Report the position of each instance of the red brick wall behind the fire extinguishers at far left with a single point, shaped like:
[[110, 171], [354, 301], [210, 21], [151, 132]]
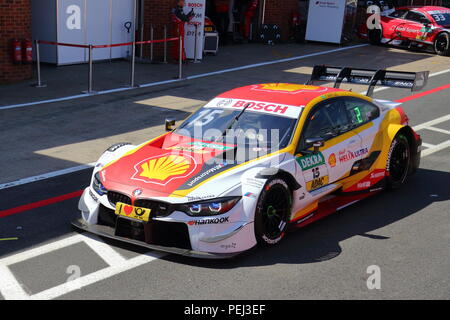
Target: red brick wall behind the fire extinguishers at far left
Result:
[[15, 22]]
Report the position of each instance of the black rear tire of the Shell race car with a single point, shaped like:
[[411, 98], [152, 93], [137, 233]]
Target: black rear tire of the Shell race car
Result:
[[399, 162]]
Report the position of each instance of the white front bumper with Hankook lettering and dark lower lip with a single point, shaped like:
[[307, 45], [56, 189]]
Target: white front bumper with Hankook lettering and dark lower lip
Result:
[[178, 233]]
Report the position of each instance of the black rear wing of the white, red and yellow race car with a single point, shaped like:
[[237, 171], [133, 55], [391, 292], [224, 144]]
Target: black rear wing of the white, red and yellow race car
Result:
[[370, 77]]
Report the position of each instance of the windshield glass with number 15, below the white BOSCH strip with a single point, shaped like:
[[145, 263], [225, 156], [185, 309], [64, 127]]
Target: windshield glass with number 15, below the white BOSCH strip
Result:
[[243, 128]]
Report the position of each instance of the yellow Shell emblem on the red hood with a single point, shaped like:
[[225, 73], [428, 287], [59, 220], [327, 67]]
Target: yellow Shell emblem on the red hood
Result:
[[164, 167]]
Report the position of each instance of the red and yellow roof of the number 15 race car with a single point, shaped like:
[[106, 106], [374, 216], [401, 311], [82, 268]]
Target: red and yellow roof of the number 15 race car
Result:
[[280, 93]]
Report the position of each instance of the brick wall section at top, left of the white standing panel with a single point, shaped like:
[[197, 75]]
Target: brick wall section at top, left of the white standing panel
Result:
[[280, 14]]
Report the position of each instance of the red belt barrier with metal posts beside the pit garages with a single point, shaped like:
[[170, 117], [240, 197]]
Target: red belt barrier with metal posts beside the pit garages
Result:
[[92, 47]]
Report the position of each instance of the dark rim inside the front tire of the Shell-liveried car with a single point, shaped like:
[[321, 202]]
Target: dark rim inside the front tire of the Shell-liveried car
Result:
[[274, 212]]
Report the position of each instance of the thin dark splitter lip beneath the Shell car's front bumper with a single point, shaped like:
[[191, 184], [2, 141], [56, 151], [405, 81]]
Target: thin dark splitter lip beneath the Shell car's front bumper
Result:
[[109, 232]]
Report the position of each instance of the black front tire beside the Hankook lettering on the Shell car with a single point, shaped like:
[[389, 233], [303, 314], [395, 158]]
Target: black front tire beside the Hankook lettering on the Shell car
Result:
[[272, 212]]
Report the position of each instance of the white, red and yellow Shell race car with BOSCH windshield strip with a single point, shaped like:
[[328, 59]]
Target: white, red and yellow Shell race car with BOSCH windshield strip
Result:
[[253, 163]]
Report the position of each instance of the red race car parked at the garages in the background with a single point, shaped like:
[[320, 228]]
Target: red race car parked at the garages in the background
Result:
[[424, 27]]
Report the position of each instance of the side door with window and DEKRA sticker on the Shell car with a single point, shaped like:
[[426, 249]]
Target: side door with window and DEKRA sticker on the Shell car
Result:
[[330, 121]]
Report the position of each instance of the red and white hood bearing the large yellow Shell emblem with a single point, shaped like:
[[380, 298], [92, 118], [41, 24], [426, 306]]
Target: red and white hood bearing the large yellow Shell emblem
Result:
[[165, 165]]
